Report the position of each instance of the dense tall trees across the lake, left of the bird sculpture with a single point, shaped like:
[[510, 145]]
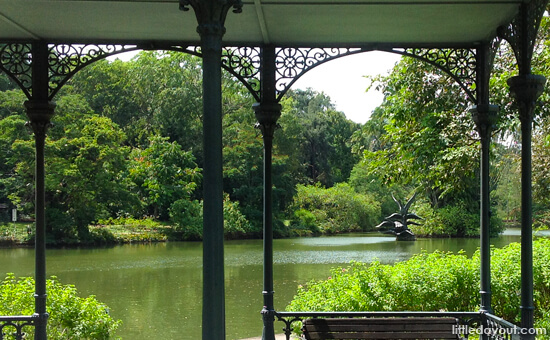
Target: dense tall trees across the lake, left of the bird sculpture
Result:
[[126, 142]]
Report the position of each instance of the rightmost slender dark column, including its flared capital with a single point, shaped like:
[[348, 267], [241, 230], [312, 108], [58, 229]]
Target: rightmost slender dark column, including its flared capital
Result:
[[526, 89]]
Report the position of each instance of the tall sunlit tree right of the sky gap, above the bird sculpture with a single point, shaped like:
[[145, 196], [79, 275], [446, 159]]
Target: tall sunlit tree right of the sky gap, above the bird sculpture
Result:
[[429, 138]]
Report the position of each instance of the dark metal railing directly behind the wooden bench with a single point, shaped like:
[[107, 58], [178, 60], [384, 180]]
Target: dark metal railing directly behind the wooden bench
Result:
[[466, 320]]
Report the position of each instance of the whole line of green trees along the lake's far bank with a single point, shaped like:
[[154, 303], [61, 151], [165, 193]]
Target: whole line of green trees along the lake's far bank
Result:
[[126, 143]]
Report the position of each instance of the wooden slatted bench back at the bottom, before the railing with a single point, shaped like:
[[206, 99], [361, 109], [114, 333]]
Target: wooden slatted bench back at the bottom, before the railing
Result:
[[381, 328]]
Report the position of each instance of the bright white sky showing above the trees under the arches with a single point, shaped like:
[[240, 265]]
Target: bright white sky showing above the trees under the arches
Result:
[[343, 81]]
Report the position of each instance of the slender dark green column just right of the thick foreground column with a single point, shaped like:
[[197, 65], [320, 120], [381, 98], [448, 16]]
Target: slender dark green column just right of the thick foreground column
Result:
[[267, 114]]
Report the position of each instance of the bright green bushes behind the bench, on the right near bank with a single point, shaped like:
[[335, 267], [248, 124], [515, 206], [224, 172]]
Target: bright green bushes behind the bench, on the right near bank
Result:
[[431, 282]]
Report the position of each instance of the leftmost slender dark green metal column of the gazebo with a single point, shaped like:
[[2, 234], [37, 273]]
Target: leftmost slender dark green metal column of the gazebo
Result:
[[40, 110]]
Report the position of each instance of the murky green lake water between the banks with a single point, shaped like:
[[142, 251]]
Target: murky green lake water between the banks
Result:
[[156, 289]]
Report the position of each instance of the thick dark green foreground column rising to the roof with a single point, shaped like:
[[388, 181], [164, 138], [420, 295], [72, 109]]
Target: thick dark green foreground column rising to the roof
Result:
[[211, 16]]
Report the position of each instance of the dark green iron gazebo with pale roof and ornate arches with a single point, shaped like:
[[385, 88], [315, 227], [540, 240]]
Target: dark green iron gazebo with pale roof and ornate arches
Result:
[[268, 45]]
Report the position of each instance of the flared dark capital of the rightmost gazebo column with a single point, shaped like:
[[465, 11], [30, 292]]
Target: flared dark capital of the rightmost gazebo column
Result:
[[526, 89]]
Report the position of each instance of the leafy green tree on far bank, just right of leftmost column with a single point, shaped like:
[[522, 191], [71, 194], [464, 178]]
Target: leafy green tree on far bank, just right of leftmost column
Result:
[[86, 161]]
